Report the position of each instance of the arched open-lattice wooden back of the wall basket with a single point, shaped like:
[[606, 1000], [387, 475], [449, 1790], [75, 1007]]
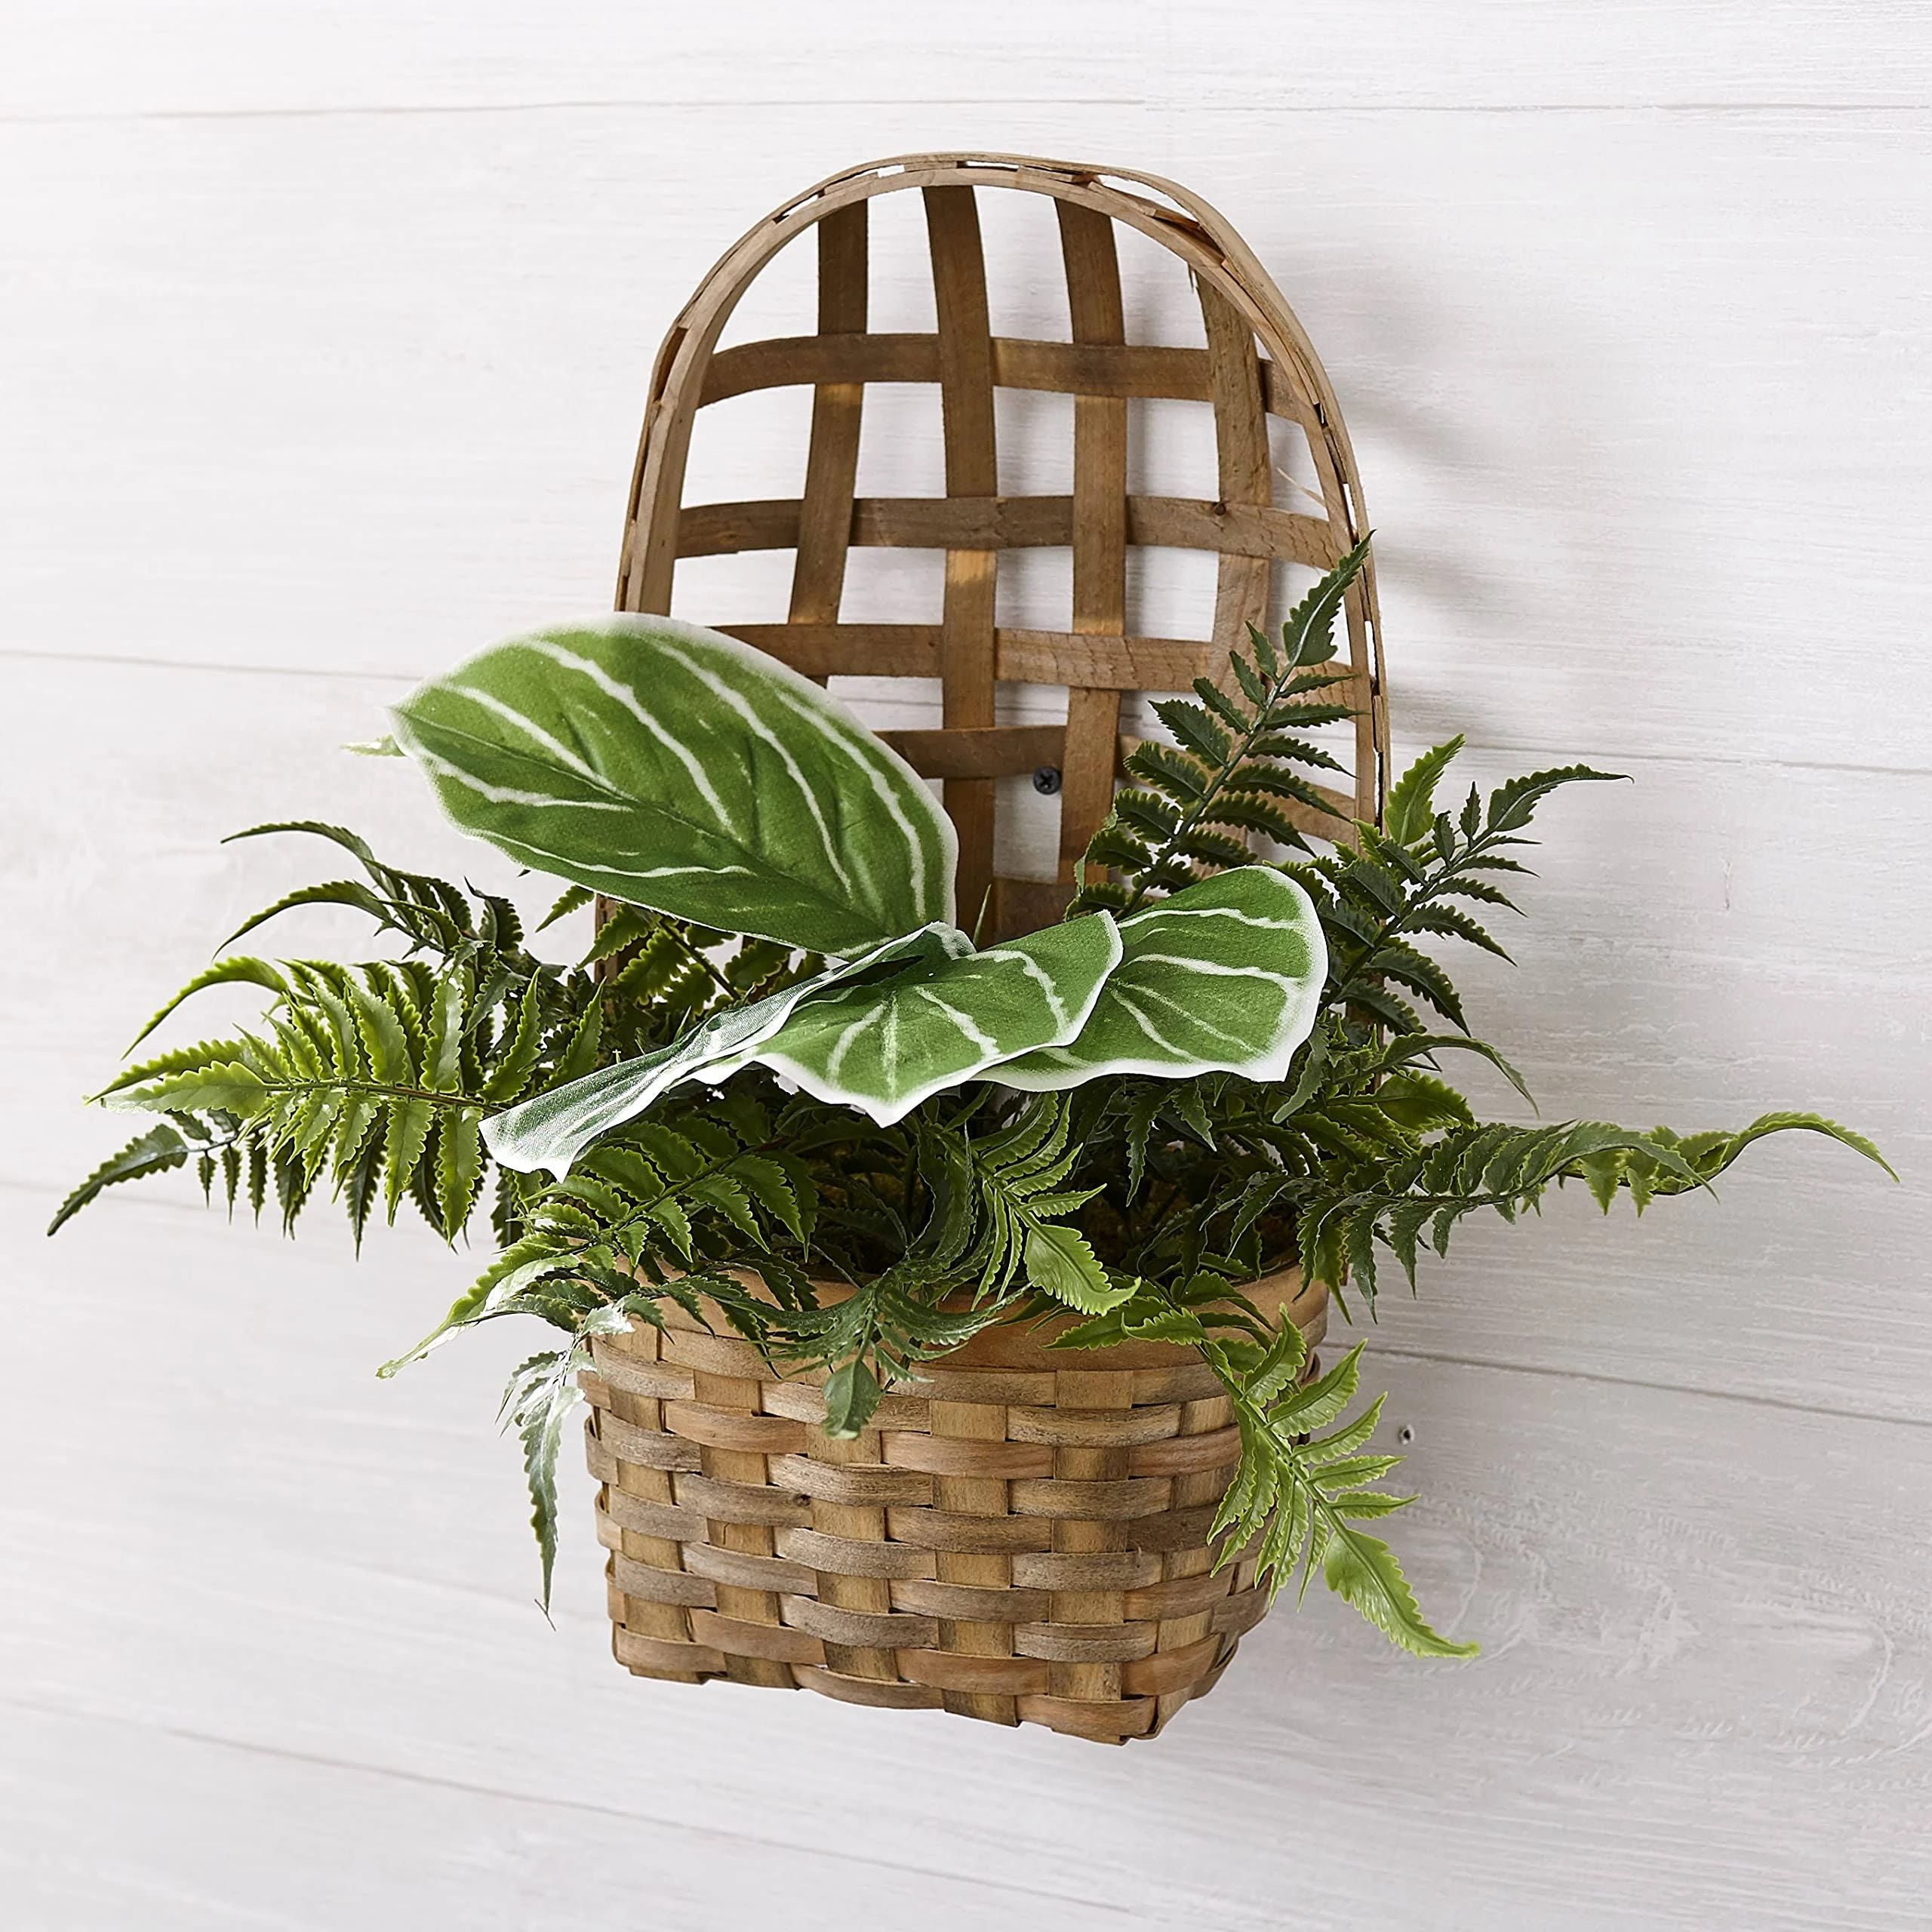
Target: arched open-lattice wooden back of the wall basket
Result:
[[1257, 364]]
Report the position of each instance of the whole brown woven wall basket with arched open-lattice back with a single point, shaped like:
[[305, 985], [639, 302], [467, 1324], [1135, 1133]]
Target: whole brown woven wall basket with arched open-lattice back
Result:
[[1023, 1539]]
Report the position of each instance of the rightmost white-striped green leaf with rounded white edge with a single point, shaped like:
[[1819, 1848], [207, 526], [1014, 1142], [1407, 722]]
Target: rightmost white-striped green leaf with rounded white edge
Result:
[[1222, 977]]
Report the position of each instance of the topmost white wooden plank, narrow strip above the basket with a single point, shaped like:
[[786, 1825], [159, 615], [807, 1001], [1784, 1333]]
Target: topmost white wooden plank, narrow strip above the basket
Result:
[[225, 57]]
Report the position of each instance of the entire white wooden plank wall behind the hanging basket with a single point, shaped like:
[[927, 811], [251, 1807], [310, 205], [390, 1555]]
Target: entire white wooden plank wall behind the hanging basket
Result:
[[324, 341]]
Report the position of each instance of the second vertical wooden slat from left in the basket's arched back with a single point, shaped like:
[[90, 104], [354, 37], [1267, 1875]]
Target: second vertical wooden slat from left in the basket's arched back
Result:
[[973, 470]]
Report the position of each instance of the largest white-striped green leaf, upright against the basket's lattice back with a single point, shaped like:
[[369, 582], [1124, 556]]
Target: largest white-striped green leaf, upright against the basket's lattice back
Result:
[[679, 770]]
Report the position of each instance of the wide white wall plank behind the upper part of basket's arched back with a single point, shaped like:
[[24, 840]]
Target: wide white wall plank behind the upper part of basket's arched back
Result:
[[1643, 457]]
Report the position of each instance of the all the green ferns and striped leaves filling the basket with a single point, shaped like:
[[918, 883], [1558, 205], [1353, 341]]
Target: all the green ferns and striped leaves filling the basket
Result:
[[783, 1054]]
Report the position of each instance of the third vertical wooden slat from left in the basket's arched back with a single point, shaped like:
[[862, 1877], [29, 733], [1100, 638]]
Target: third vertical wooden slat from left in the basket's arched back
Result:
[[1098, 532]]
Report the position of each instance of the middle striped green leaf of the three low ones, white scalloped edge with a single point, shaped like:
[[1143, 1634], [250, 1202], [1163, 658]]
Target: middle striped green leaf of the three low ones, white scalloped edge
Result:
[[888, 1046]]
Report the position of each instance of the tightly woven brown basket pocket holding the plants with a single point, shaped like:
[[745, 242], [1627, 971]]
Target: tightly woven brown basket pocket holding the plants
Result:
[[1013, 1539]]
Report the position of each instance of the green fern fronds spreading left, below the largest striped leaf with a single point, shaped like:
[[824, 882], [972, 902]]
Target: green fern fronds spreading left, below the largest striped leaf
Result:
[[378, 1079]]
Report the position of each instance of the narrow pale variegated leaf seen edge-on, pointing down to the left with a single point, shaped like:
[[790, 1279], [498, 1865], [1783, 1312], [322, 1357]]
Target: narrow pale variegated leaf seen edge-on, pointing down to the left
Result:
[[554, 1129]]
